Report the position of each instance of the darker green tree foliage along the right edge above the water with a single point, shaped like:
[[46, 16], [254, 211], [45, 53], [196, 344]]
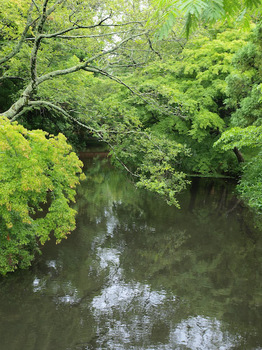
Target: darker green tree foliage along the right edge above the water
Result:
[[244, 99]]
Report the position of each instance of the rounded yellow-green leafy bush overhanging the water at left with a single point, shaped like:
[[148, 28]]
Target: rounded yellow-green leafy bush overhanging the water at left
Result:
[[38, 176]]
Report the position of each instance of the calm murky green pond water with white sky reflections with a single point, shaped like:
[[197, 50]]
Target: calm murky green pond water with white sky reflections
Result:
[[139, 274]]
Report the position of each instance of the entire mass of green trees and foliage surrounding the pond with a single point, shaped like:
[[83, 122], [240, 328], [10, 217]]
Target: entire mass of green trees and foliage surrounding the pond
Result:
[[172, 88]]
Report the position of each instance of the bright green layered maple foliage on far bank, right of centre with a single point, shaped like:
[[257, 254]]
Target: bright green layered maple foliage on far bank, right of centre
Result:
[[186, 95]]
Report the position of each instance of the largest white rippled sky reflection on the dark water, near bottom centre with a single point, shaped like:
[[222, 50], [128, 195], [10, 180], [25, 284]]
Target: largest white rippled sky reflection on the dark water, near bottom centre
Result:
[[128, 308]]
